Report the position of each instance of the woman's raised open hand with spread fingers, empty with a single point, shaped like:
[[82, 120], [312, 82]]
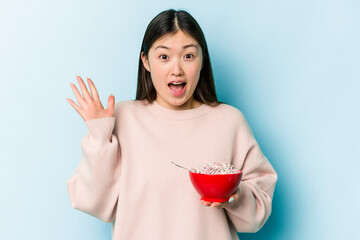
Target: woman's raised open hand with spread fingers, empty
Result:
[[90, 106]]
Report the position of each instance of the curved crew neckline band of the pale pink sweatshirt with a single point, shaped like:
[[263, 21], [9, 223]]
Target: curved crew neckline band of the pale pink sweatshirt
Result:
[[172, 114]]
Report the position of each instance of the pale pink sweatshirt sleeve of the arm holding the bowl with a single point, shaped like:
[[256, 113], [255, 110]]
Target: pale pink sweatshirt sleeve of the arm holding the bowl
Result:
[[253, 207]]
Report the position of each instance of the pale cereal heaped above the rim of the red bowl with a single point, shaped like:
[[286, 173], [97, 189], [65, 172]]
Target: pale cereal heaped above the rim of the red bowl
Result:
[[215, 168]]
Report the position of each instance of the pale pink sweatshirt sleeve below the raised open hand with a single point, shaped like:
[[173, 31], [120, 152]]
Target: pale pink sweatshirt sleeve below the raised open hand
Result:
[[94, 186]]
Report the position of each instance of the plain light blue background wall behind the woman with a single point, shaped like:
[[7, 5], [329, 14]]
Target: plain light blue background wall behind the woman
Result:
[[292, 68]]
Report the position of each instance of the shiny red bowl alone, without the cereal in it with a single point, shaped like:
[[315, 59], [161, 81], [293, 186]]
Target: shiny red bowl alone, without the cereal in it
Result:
[[215, 188]]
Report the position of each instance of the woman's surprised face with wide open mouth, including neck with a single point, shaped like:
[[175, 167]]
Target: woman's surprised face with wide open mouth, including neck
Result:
[[174, 63]]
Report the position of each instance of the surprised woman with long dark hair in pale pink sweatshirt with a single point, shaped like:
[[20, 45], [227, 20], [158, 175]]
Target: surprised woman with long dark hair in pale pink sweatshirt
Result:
[[125, 175]]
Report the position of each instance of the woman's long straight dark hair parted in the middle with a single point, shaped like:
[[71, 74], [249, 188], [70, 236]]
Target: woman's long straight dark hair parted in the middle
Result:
[[170, 22]]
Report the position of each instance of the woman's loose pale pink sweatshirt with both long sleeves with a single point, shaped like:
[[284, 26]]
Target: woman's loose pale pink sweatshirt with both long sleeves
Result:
[[125, 175]]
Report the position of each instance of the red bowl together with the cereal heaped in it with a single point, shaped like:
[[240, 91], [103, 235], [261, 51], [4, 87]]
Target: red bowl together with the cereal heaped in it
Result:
[[215, 182]]
